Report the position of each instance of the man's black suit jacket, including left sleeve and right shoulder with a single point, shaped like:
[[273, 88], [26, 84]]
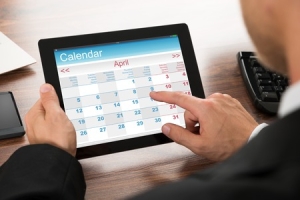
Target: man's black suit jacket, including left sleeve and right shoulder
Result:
[[266, 168]]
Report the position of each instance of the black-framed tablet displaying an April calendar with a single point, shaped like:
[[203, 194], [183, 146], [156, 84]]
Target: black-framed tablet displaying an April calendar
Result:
[[103, 81]]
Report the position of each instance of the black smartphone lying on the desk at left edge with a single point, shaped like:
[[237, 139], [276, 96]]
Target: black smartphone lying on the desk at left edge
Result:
[[10, 121]]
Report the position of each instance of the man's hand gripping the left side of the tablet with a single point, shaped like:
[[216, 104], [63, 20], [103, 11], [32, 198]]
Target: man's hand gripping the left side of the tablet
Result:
[[46, 122]]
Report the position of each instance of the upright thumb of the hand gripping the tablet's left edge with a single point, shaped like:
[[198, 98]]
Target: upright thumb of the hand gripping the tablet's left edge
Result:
[[49, 98]]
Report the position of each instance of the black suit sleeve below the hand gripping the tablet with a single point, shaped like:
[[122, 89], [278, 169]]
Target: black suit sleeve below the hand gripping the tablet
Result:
[[41, 172]]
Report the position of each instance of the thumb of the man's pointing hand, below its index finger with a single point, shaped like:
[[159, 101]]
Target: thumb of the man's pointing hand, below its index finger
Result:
[[181, 136]]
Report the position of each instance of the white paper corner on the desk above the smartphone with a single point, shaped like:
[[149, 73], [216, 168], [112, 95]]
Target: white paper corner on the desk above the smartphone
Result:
[[12, 56]]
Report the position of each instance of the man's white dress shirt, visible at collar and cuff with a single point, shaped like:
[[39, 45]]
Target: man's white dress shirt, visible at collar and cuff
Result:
[[290, 102]]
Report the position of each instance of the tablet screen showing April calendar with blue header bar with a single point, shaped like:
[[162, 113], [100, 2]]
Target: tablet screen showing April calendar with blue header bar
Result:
[[105, 87]]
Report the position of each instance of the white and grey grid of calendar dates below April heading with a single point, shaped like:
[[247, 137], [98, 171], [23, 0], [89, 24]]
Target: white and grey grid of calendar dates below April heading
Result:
[[116, 103]]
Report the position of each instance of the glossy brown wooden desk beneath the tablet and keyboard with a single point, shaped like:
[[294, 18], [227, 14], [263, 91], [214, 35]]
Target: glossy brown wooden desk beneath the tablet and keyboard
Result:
[[218, 34]]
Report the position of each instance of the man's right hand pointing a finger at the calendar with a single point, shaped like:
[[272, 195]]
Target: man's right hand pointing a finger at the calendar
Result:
[[225, 125]]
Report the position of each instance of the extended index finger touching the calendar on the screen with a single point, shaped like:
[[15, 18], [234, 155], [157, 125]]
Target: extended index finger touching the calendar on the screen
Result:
[[183, 100]]
